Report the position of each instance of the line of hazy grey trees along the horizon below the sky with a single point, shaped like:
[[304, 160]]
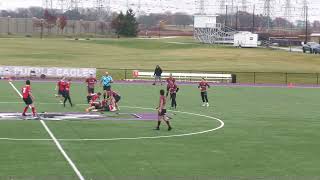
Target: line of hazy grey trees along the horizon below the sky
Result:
[[239, 21]]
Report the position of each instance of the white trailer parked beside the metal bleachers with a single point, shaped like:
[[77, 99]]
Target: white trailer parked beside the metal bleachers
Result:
[[245, 39]]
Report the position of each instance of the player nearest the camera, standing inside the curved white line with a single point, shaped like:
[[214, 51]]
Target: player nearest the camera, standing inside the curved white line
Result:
[[162, 111]]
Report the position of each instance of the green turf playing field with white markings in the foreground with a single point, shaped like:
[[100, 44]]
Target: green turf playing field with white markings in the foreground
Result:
[[269, 133]]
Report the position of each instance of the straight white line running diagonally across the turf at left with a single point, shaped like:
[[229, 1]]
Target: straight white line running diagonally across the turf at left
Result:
[[74, 167]]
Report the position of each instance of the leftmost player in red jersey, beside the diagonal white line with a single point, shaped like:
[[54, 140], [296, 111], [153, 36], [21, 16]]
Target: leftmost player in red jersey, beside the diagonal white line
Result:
[[28, 99]]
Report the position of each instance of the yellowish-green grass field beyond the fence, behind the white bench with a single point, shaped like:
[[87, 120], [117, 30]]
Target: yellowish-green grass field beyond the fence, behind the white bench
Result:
[[145, 54]]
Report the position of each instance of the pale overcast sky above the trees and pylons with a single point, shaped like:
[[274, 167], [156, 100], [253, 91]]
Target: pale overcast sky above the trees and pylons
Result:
[[188, 6]]
